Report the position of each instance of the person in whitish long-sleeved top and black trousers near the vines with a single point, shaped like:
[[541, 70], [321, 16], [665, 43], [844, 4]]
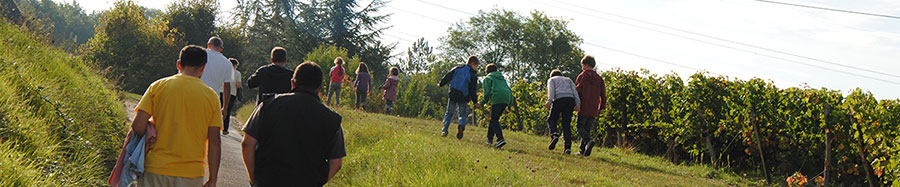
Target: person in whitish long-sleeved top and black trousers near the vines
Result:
[[562, 99]]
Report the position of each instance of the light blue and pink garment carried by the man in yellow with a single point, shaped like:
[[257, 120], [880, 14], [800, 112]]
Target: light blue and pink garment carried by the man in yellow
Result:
[[134, 159]]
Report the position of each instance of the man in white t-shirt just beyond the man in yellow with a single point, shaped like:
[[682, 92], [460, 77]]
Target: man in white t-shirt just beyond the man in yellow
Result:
[[218, 74]]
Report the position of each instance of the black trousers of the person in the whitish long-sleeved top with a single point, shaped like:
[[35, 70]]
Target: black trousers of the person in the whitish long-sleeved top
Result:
[[562, 108]]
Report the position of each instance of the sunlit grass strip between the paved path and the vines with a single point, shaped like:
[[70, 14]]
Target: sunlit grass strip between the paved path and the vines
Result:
[[392, 151]]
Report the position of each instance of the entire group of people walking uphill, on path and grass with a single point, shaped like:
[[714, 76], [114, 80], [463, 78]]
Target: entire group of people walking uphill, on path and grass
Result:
[[292, 138]]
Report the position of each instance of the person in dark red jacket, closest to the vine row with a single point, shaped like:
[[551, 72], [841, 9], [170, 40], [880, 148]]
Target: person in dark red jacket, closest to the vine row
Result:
[[592, 90]]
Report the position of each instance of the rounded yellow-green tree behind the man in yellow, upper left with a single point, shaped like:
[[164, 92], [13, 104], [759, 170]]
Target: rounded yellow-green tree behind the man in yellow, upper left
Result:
[[130, 49]]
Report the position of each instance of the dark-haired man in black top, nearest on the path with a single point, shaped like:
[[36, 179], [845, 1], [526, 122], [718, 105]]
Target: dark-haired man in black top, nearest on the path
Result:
[[293, 139]]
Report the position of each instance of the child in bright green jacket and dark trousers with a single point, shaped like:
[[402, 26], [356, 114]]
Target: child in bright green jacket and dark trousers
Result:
[[497, 91]]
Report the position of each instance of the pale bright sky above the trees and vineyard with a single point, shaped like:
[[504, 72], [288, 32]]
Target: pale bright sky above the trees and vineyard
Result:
[[791, 46]]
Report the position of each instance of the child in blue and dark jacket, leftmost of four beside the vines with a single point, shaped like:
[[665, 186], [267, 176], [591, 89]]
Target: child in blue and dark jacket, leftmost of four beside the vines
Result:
[[463, 80]]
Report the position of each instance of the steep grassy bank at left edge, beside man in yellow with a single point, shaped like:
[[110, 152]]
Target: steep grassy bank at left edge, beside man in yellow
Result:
[[59, 123]]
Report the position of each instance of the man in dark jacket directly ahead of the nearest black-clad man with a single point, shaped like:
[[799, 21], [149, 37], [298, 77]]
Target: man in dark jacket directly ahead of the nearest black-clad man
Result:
[[272, 79]]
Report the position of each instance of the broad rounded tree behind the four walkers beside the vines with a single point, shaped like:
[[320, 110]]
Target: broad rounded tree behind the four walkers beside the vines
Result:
[[517, 43]]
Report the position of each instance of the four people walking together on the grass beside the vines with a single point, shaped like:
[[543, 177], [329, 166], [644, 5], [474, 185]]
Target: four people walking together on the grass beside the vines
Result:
[[586, 95]]
